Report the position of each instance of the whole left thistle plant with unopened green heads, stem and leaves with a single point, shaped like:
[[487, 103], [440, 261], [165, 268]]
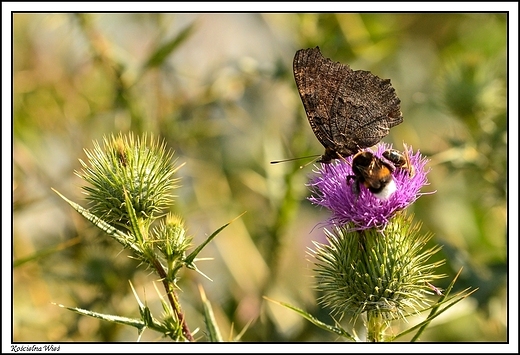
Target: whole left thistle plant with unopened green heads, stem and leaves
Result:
[[130, 185]]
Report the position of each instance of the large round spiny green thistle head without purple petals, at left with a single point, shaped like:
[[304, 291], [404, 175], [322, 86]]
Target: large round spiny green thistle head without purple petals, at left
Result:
[[140, 169]]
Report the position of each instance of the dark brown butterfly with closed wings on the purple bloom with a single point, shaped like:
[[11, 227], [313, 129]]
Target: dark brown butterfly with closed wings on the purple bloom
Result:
[[348, 110]]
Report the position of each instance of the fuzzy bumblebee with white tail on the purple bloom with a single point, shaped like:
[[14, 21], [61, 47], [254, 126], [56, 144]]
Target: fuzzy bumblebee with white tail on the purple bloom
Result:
[[374, 173]]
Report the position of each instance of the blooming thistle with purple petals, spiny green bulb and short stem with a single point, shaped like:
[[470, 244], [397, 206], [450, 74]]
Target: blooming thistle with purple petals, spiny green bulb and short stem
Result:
[[373, 264]]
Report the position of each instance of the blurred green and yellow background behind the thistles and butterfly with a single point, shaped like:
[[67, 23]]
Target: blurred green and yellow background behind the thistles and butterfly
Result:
[[219, 89]]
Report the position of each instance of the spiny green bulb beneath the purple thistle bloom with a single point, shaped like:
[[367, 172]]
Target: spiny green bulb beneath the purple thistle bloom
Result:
[[359, 271]]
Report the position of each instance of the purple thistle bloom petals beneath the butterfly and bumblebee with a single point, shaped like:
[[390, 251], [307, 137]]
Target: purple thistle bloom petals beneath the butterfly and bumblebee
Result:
[[333, 189]]
